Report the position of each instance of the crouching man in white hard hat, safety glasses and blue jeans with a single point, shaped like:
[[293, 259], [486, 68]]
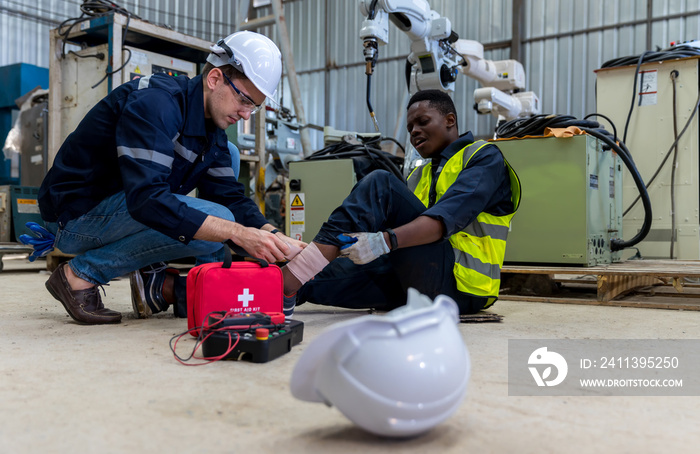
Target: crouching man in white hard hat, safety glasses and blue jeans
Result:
[[116, 193]]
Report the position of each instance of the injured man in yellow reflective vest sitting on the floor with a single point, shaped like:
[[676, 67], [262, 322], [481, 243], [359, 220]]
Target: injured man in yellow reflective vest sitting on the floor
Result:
[[443, 234]]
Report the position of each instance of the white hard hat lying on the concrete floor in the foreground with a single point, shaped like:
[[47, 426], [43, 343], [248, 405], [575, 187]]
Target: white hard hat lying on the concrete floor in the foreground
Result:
[[394, 375]]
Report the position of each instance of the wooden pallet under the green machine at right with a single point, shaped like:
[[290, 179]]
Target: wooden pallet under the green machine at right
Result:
[[662, 284]]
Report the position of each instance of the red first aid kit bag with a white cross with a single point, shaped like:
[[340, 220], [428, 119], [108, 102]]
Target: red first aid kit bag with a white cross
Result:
[[235, 287]]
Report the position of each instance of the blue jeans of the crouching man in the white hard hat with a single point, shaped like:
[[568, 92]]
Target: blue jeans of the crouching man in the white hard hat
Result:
[[109, 243]]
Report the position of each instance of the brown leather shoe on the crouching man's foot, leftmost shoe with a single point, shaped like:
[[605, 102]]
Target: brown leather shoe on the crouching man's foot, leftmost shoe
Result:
[[85, 306]]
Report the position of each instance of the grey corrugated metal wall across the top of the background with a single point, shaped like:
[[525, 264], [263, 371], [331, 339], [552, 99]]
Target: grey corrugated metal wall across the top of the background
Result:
[[564, 41]]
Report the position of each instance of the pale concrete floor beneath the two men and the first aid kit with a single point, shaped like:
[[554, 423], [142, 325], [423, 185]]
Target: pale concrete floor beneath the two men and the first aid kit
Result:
[[113, 389]]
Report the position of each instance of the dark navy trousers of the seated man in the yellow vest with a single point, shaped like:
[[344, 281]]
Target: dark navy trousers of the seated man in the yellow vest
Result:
[[380, 201]]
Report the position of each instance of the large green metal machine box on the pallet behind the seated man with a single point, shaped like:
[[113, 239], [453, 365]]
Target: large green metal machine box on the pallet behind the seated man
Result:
[[571, 201]]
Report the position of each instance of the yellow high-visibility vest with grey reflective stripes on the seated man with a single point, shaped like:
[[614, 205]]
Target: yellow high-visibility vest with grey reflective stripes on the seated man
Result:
[[480, 247]]
